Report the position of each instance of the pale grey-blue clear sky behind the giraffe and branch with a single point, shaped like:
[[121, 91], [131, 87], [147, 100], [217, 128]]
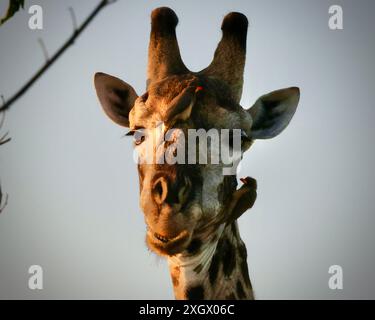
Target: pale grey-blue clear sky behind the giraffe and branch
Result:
[[73, 186]]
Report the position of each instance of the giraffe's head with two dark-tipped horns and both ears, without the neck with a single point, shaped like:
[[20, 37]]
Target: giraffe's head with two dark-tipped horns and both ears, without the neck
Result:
[[185, 200]]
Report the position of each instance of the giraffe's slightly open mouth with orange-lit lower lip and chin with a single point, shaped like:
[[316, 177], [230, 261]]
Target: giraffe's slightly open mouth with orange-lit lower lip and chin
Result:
[[165, 245]]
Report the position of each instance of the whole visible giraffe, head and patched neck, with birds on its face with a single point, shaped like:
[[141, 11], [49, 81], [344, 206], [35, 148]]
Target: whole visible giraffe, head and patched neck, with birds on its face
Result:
[[191, 210]]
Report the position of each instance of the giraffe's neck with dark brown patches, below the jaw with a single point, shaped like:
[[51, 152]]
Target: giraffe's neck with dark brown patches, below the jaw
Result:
[[215, 268]]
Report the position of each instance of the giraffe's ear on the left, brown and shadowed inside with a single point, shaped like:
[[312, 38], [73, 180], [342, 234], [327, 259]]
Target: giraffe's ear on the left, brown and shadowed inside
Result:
[[116, 97]]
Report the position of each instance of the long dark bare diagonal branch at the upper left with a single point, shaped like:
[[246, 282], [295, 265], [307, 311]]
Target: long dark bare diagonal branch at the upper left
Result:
[[59, 52]]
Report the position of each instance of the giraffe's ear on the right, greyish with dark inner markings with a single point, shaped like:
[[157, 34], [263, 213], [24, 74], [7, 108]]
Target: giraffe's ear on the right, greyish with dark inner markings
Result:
[[272, 112]]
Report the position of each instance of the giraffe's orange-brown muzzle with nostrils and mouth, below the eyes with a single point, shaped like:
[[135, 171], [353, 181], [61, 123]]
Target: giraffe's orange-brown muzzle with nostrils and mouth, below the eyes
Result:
[[168, 200]]
